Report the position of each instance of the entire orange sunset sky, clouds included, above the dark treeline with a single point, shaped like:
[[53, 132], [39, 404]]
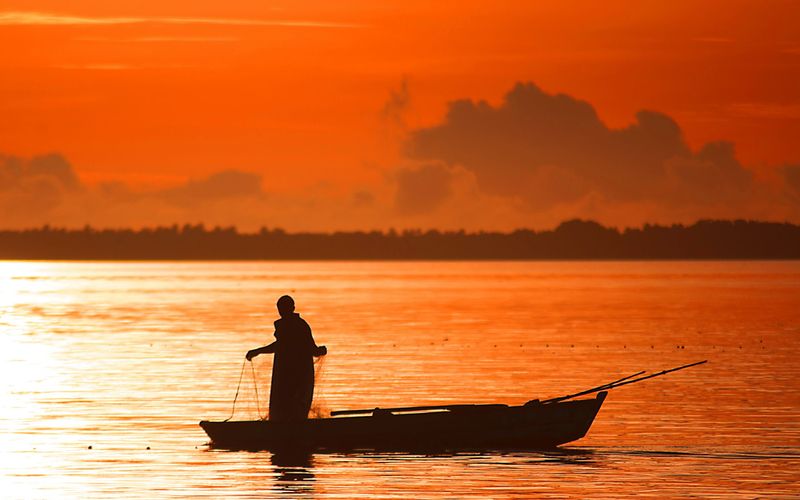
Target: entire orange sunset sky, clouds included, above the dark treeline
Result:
[[319, 115]]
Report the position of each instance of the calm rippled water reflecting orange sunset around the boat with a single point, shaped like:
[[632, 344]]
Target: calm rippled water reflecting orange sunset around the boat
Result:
[[126, 356]]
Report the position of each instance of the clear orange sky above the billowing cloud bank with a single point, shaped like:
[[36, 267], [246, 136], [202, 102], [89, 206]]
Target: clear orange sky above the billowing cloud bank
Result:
[[154, 93]]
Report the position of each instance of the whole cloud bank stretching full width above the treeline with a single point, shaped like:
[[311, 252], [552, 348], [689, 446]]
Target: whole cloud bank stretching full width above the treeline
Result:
[[534, 160]]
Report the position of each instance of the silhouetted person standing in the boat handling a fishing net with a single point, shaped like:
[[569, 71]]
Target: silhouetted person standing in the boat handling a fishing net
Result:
[[292, 386]]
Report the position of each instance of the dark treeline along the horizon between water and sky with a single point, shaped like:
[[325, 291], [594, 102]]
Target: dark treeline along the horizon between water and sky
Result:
[[573, 239]]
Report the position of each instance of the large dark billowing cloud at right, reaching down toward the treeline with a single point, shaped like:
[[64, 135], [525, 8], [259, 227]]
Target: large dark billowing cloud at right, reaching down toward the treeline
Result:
[[552, 152]]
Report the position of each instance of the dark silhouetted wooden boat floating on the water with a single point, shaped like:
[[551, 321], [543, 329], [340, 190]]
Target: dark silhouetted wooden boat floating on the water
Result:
[[534, 425]]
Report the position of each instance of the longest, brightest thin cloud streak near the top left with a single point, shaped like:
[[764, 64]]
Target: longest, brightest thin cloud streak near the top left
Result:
[[54, 19]]
